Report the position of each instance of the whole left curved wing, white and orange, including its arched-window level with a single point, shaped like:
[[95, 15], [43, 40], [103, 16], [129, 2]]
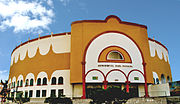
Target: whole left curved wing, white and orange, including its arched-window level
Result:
[[47, 56]]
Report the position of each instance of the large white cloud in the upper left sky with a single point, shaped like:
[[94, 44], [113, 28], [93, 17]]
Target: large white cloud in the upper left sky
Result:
[[26, 16]]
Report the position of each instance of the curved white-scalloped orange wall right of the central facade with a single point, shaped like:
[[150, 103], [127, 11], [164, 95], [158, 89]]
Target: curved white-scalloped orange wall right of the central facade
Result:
[[159, 61]]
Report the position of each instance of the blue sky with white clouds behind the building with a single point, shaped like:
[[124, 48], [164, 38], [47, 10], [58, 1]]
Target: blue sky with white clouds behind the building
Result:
[[23, 19]]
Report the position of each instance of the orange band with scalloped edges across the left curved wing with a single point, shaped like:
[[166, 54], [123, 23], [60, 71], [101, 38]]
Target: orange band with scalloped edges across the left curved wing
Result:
[[47, 63]]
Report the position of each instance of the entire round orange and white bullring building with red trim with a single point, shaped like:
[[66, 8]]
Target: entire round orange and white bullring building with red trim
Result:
[[95, 54]]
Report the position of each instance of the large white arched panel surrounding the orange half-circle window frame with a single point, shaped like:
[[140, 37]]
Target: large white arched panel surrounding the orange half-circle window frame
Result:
[[113, 39]]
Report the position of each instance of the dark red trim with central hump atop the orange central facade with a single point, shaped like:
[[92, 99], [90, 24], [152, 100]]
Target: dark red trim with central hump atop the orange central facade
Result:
[[107, 18]]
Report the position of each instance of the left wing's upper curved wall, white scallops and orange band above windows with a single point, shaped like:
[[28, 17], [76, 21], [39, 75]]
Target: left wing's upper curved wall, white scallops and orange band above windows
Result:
[[47, 54]]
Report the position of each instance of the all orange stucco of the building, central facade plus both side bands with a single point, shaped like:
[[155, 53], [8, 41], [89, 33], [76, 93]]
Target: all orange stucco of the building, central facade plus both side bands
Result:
[[82, 32]]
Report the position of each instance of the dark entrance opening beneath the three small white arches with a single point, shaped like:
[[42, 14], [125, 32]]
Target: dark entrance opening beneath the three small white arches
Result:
[[113, 91]]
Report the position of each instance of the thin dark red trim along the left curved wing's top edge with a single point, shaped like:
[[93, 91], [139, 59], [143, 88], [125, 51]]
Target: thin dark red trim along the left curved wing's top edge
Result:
[[39, 38]]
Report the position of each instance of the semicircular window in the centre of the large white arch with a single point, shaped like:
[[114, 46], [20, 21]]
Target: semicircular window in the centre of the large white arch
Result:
[[115, 55]]
